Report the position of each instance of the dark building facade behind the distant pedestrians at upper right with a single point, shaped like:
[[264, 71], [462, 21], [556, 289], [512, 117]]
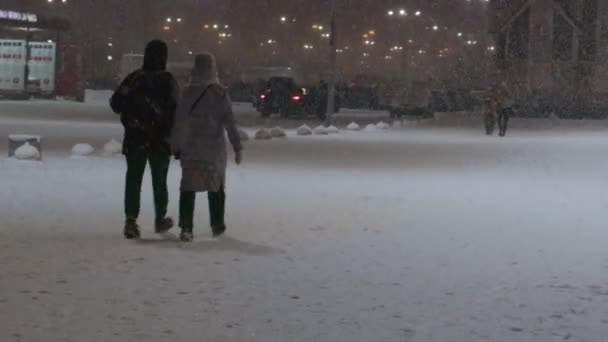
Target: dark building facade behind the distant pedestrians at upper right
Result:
[[553, 51]]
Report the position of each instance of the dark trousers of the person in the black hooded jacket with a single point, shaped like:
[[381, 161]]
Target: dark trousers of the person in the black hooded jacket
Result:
[[159, 160]]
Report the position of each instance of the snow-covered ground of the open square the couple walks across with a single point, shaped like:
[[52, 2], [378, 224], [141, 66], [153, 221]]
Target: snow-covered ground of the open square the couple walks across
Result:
[[411, 234]]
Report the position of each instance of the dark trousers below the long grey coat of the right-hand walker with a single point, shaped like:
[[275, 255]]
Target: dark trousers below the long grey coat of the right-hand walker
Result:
[[217, 203]]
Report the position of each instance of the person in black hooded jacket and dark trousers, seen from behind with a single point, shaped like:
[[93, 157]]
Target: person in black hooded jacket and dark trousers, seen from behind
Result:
[[146, 101]]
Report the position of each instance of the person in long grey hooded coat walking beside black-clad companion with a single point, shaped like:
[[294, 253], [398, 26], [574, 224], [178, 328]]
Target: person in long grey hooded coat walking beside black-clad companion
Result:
[[204, 115]]
